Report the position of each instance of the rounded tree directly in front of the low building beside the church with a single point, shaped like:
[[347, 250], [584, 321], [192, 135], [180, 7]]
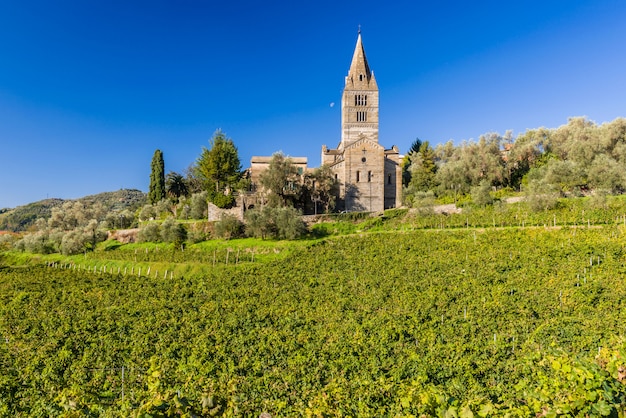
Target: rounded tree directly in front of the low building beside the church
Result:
[[281, 182]]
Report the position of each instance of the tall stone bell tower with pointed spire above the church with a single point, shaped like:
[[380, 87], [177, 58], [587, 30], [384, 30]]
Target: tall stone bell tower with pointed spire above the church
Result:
[[359, 103]]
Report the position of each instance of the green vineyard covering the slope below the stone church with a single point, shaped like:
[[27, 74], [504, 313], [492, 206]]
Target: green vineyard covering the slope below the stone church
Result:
[[514, 320]]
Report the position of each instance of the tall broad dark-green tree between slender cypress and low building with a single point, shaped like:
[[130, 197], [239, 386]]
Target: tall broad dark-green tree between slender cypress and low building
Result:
[[218, 169]]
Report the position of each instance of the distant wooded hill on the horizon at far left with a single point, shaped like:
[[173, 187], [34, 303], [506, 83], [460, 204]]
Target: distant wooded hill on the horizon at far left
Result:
[[22, 217]]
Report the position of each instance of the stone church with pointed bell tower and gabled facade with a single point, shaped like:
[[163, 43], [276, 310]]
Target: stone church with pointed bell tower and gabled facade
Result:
[[369, 175]]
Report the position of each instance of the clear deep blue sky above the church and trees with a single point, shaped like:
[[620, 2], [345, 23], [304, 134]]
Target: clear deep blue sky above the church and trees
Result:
[[88, 90]]
